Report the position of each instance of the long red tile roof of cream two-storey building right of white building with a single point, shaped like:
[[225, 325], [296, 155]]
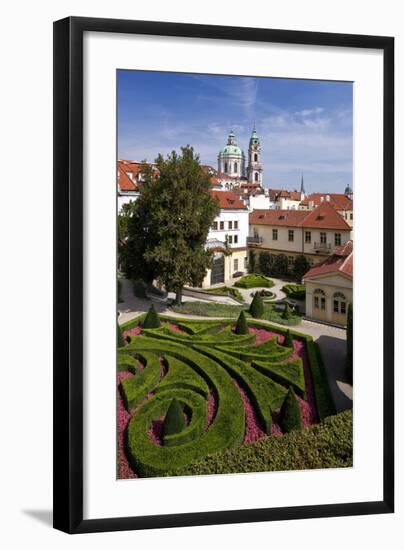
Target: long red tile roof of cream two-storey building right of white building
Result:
[[323, 217]]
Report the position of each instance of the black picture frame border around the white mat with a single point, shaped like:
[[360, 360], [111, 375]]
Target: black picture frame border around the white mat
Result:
[[68, 273]]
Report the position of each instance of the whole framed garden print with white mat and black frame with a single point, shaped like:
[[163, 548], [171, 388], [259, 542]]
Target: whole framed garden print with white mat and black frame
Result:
[[223, 275]]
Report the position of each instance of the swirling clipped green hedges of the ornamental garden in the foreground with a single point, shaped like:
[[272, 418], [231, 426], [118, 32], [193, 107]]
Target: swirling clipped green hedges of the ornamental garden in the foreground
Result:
[[196, 369]]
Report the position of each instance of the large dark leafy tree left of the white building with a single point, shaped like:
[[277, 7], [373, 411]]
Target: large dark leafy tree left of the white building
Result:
[[170, 222]]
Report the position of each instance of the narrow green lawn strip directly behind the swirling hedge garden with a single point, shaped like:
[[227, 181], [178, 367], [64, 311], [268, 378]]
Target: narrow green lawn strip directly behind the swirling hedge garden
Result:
[[210, 309]]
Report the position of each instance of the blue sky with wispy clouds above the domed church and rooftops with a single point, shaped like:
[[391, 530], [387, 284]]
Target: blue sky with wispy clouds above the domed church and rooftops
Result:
[[305, 126]]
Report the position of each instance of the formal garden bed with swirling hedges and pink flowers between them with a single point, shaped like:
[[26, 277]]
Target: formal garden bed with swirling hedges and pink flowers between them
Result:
[[230, 388]]
